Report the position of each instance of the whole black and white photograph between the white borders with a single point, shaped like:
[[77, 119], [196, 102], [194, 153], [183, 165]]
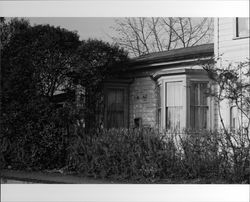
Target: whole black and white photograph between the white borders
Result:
[[125, 100]]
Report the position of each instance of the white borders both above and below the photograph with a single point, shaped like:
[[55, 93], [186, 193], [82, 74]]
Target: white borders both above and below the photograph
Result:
[[125, 193]]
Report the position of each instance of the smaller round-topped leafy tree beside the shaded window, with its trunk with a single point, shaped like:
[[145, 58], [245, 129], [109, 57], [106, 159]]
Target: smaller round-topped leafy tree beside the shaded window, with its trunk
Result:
[[97, 61]]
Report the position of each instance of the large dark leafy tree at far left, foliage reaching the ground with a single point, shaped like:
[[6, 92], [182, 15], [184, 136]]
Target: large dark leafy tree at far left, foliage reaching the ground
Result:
[[35, 64]]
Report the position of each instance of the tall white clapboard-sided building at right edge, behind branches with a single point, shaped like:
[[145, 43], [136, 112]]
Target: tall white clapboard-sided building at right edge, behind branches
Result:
[[231, 44]]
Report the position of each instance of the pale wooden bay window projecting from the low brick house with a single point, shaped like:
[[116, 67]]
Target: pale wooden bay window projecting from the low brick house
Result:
[[185, 103]]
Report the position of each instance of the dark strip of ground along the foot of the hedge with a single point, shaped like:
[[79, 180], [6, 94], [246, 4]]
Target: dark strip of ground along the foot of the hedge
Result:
[[45, 177]]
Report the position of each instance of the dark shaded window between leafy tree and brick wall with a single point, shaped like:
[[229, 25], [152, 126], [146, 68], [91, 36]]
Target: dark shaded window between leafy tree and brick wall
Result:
[[115, 108]]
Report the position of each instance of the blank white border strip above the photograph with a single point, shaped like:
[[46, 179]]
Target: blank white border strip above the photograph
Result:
[[124, 8]]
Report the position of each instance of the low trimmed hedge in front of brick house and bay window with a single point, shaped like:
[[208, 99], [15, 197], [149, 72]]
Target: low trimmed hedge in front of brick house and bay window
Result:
[[147, 155]]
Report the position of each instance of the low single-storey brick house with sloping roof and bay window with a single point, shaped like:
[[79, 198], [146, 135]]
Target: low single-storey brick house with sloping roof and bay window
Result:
[[166, 90]]
